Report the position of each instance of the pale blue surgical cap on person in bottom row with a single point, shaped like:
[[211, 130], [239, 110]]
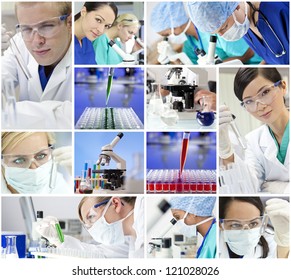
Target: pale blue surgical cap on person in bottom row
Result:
[[197, 205]]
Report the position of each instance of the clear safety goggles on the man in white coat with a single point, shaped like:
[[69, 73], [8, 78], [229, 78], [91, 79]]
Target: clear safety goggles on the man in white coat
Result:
[[46, 29]]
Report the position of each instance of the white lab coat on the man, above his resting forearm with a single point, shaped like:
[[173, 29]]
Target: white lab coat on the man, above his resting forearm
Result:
[[59, 86]]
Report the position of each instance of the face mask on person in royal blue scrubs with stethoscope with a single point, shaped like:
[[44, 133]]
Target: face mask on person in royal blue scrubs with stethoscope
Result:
[[238, 30]]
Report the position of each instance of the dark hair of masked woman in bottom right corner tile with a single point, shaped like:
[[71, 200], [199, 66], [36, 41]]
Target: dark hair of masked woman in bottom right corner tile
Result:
[[224, 203]]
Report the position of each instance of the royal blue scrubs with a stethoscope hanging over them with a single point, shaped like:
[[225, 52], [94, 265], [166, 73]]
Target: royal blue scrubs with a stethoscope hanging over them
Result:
[[277, 15]]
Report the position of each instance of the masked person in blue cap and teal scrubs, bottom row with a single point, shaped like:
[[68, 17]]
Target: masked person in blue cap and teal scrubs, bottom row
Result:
[[195, 214]]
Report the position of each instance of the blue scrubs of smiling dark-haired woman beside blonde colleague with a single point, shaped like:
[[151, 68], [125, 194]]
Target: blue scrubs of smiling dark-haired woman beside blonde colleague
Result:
[[84, 54]]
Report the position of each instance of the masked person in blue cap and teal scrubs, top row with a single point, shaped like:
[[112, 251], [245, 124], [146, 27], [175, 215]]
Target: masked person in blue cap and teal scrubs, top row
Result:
[[169, 19]]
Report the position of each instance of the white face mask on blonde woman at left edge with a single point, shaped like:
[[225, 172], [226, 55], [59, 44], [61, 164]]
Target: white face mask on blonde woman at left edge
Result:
[[28, 181]]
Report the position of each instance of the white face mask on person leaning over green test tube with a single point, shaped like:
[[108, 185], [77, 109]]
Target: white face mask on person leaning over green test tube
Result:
[[108, 234]]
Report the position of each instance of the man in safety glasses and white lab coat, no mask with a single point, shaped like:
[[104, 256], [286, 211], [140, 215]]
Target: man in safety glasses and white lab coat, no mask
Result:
[[39, 57]]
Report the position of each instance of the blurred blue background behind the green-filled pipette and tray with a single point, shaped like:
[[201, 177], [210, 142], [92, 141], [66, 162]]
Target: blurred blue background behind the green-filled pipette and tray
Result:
[[127, 91]]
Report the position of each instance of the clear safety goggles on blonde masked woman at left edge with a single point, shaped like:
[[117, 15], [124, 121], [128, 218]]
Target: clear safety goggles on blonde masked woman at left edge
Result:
[[24, 161]]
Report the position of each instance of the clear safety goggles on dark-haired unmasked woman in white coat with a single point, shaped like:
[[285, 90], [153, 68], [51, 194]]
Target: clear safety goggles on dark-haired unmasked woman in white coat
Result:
[[266, 96]]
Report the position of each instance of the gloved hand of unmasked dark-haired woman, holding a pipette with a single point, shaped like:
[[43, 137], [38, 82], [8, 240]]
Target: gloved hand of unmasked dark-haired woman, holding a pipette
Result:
[[225, 117]]
